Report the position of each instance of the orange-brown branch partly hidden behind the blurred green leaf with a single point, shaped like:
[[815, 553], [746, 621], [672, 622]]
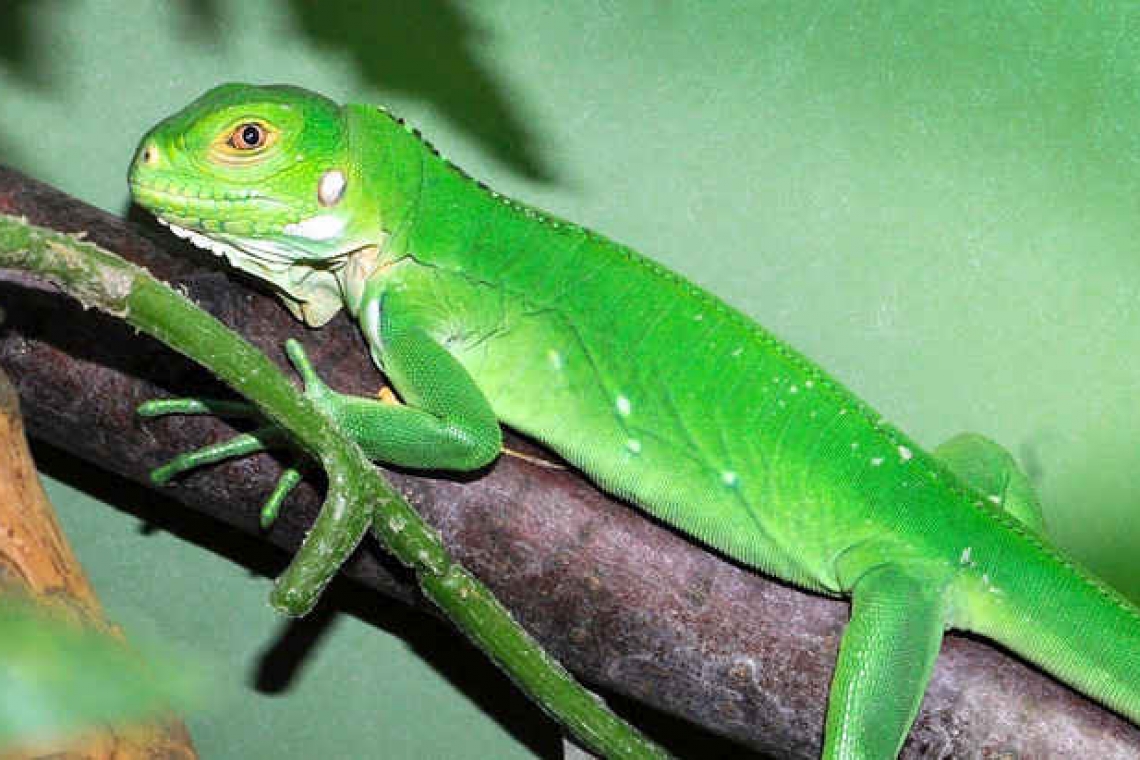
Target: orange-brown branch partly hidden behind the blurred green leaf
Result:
[[36, 561]]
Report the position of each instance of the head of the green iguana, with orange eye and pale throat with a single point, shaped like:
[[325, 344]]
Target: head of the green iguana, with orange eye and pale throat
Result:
[[263, 177]]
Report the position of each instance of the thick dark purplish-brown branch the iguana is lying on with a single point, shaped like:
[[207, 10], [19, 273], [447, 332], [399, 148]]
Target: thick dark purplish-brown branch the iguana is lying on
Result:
[[623, 601]]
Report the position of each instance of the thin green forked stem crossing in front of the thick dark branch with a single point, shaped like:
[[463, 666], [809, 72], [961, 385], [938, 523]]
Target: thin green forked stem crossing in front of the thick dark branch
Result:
[[359, 496]]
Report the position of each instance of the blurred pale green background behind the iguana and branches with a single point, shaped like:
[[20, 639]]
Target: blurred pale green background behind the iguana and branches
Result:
[[939, 202]]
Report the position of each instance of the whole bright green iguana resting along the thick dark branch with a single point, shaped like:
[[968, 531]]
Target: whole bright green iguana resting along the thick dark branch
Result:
[[483, 310]]
